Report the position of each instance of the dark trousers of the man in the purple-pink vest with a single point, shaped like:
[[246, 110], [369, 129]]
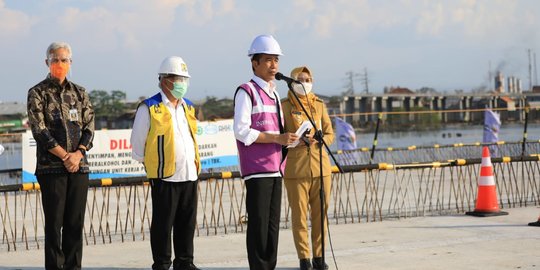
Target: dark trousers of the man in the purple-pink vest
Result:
[[263, 203]]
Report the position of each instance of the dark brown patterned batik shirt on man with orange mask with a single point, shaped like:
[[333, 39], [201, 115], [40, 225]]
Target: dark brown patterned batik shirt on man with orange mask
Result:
[[59, 115]]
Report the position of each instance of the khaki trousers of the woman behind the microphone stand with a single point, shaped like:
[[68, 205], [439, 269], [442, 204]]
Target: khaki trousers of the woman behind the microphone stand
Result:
[[304, 200]]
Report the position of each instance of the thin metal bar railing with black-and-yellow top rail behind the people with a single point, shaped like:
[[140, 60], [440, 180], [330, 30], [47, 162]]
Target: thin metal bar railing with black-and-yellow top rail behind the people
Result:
[[119, 209]]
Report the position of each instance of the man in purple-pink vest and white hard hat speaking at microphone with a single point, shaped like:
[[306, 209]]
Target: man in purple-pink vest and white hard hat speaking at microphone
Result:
[[258, 128]]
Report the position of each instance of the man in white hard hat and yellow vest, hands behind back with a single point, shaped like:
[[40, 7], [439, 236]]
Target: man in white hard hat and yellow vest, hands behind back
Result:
[[163, 138]]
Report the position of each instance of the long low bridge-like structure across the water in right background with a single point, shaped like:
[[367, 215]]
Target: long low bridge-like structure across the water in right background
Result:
[[360, 110]]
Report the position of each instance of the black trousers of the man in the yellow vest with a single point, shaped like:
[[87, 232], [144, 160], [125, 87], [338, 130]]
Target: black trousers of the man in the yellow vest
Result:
[[174, 205]]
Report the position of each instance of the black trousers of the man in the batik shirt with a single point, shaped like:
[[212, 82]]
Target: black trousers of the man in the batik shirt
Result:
[[64, 203]]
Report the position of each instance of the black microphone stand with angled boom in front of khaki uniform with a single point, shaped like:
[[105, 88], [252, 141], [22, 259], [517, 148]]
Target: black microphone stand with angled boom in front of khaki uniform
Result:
[[319, 137]]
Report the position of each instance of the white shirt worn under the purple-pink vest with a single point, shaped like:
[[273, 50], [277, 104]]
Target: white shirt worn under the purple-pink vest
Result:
[[242, 118]]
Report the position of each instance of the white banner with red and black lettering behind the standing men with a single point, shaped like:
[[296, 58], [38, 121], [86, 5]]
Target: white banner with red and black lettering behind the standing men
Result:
[[110, 157]]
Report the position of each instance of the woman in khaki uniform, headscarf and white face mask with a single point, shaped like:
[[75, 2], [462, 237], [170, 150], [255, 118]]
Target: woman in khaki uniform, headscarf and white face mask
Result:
[[302, 172]]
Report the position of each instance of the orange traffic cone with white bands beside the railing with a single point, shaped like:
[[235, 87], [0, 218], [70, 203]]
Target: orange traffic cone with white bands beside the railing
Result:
[[486, 199]]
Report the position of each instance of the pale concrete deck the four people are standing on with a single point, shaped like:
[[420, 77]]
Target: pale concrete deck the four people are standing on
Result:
[[443, 242]]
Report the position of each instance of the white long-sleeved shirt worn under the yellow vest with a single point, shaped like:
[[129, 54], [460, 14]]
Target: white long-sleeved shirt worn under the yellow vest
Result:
[[184, 149]]
